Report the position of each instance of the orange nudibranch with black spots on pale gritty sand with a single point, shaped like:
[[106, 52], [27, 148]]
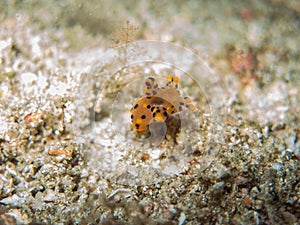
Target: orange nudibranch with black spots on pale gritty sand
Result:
[[158, 103]]
